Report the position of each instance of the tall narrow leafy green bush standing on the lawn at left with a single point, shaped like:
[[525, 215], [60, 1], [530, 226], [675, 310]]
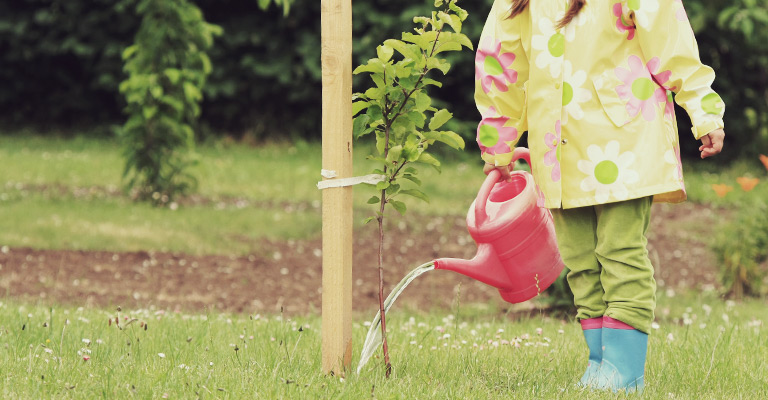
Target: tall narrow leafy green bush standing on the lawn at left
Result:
[[167, 68]]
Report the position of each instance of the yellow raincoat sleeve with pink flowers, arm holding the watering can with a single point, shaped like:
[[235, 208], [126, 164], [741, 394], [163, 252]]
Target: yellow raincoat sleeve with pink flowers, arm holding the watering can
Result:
[[501, 70]]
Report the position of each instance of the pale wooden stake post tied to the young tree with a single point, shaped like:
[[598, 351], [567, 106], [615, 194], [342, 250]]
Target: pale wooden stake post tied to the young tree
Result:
[[336, 59]]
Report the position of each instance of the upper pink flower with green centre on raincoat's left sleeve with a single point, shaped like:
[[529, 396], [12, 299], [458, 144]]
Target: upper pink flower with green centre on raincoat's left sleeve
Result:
[[493, 67]]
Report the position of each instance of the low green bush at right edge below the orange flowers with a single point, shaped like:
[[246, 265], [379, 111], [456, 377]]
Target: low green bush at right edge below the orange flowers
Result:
[[740, 247]]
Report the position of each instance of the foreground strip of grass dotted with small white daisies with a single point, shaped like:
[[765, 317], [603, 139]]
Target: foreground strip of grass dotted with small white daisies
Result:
[[703, 349]]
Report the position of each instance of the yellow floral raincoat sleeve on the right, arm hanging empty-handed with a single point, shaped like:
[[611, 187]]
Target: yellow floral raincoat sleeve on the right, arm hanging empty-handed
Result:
[[668, 43]]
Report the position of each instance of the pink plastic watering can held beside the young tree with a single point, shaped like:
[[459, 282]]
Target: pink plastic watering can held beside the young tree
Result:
[[517, 249]]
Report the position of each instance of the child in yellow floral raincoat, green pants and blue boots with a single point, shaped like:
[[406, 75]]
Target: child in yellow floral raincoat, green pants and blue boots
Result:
[[591, 82]]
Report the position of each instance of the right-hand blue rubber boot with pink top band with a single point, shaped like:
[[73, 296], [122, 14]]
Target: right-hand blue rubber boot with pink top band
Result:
[[624, 352]]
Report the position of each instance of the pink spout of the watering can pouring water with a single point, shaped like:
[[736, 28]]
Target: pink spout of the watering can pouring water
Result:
[[484, 267]]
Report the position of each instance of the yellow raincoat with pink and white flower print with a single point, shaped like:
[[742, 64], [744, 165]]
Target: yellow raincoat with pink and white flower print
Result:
[[595, 97]]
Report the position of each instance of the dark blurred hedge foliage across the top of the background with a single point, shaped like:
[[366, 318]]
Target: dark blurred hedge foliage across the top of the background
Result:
[[61, 63]]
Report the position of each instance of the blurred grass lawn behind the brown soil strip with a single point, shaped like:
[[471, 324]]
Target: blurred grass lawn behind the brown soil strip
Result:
[[64, 193]]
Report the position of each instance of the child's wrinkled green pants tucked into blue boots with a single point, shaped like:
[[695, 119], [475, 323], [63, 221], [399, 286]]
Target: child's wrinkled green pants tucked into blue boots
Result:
[[604, 247]]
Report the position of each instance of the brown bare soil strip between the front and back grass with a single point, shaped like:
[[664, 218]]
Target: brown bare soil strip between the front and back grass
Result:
[[287, 275]]
